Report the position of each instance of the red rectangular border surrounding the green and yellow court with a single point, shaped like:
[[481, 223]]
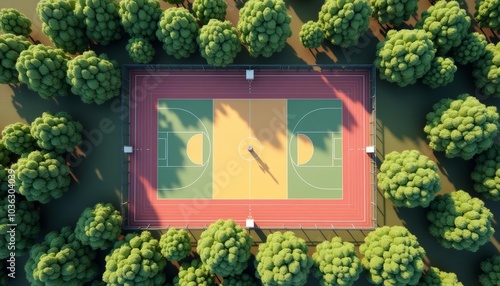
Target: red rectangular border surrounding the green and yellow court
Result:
[[354, 210]]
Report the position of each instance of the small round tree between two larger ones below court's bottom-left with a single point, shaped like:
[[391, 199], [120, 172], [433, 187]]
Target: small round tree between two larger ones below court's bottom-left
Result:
[[175, 244]]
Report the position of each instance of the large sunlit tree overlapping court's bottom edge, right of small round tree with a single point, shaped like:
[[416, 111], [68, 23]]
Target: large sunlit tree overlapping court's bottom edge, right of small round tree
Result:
[[224, 247]]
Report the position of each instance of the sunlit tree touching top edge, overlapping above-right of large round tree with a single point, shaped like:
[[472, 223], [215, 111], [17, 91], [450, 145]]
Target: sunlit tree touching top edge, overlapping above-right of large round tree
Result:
[[447, 23]]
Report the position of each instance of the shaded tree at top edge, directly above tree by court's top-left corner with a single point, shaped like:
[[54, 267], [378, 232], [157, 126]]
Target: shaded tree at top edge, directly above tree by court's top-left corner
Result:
[[101, 18]]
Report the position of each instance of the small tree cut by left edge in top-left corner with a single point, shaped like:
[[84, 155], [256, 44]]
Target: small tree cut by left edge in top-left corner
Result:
[[14, 22]]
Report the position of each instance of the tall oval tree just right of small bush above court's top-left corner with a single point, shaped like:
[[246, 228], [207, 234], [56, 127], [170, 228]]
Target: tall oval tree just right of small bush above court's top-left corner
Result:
[[177, 30]]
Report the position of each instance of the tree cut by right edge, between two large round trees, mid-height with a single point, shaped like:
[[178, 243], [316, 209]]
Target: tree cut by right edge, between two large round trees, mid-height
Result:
[[486, 173]]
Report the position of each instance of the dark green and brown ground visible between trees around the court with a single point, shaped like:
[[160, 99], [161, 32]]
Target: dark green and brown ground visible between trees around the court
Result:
[[400, 120]]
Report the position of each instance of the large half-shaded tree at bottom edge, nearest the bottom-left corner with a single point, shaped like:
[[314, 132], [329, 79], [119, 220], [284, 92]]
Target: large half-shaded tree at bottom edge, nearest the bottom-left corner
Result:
[[60, 259]]
